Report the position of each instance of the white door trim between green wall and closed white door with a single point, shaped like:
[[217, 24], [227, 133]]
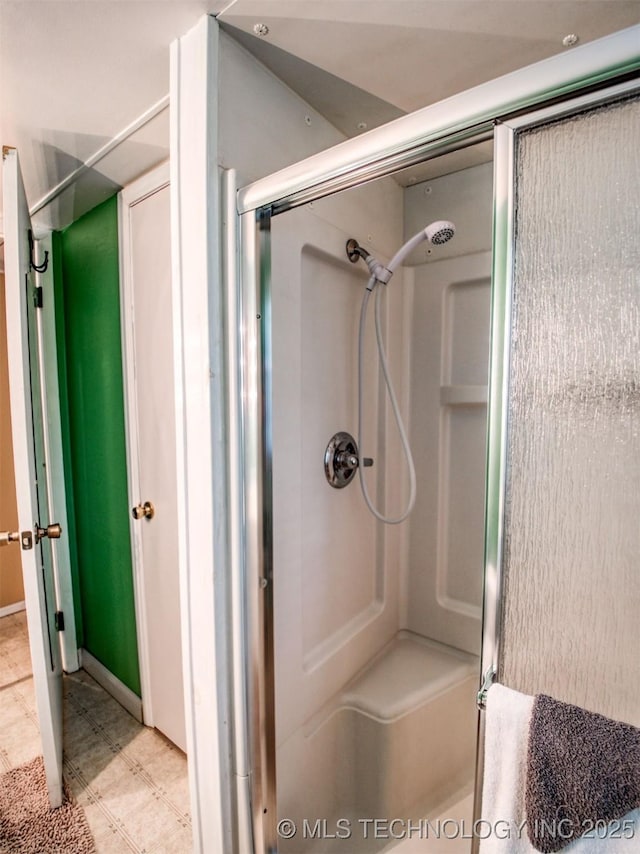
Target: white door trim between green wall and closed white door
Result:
[[145, 186]]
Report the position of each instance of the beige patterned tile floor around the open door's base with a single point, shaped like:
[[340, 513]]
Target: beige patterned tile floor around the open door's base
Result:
[[131, 781]]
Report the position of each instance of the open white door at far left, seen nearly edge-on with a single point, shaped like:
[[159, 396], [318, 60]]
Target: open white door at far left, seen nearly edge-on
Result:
[[23, 334]]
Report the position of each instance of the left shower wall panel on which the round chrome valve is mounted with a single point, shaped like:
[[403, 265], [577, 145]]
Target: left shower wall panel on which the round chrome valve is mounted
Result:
[[336, 570]]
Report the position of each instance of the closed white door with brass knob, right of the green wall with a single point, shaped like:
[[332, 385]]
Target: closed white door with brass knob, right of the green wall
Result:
[[147, 320]]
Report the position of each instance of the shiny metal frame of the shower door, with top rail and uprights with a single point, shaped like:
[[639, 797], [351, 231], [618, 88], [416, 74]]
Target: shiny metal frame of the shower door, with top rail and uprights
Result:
[[483, 112]]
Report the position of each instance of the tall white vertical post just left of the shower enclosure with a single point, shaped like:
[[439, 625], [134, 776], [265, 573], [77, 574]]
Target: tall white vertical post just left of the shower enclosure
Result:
[[201, 435]]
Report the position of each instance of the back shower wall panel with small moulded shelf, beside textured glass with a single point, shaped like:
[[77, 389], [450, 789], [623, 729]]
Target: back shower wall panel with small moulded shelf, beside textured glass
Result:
[[449, 375]]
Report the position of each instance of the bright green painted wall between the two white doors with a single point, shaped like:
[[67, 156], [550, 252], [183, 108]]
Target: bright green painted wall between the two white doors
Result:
[[88, 324]]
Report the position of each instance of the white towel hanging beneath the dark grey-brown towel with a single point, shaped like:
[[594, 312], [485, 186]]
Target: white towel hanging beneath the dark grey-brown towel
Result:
[[503, 825]]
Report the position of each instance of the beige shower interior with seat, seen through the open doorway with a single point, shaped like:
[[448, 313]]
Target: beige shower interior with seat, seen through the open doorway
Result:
[[377, 627]]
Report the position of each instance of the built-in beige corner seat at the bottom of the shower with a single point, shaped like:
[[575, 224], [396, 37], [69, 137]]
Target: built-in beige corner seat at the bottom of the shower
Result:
[[397, 742]]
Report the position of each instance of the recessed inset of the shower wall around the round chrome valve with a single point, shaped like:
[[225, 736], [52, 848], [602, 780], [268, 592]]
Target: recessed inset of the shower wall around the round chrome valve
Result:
[[341, 566]]
